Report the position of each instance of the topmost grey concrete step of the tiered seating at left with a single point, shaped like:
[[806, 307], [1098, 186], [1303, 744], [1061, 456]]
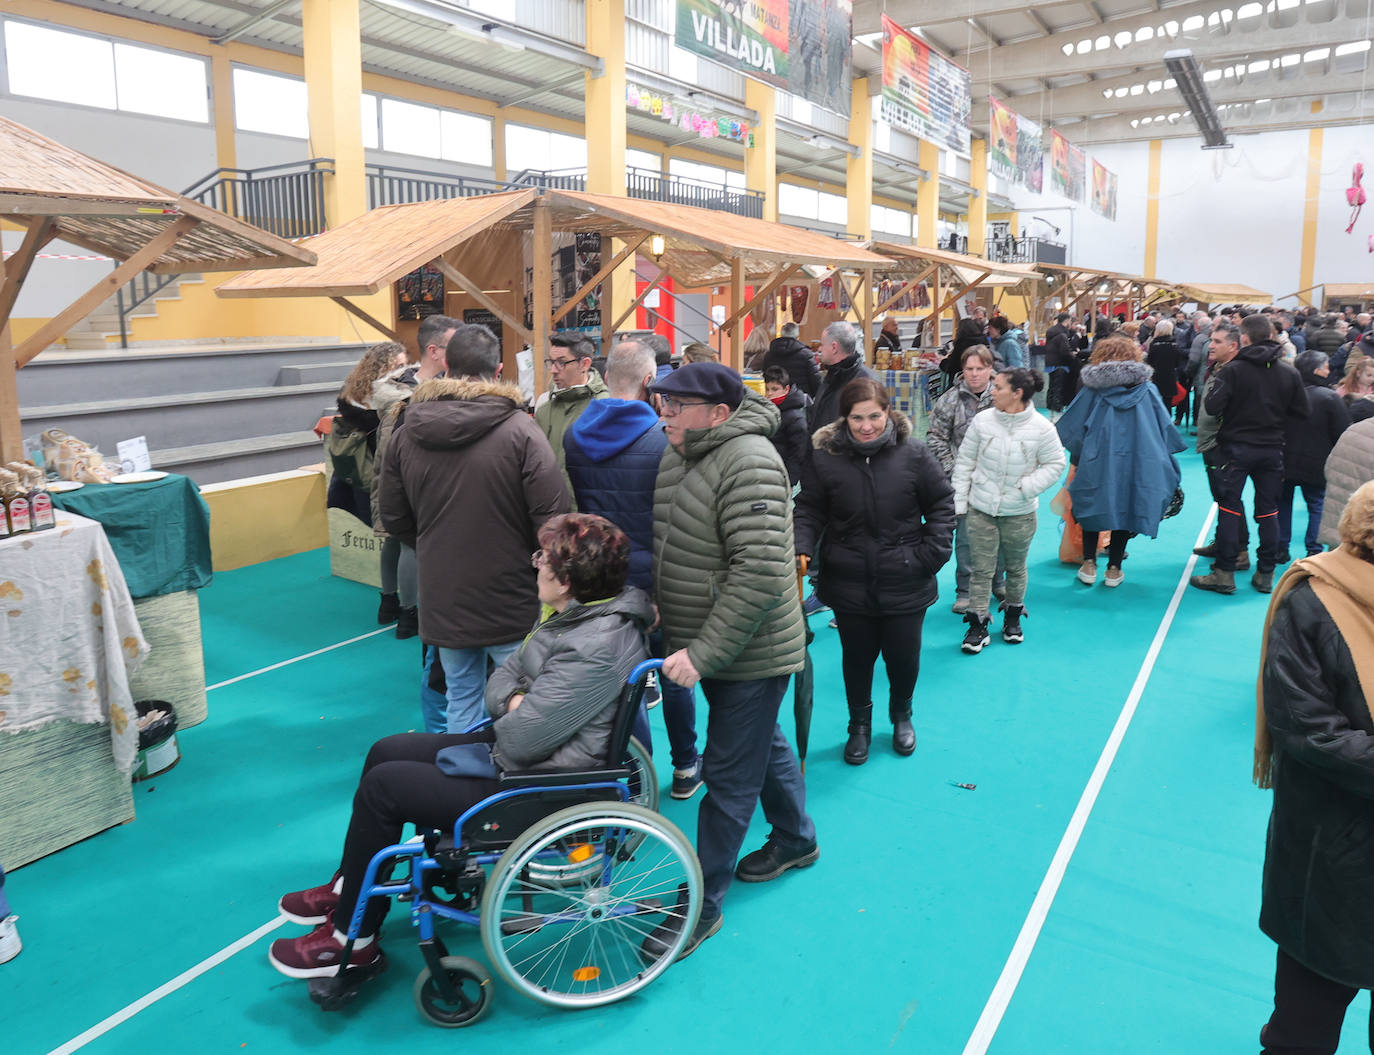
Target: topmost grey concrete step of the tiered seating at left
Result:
[[61, 377]]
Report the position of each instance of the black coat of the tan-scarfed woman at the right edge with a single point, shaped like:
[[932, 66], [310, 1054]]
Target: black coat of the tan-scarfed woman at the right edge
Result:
[[1320, 855]]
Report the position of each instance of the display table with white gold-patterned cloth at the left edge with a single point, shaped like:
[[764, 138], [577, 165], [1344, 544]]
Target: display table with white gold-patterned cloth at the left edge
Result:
[[68, 736]]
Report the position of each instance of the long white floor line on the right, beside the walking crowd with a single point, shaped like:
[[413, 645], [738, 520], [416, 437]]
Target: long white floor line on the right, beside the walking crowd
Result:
[[1011, 979]]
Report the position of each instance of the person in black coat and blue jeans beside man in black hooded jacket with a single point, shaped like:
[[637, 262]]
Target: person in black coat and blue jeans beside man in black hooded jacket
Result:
[[1307, 444]]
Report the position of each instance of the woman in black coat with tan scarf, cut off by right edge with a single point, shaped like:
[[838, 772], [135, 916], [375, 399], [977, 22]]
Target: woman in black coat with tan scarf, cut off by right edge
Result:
[[1316, 748]]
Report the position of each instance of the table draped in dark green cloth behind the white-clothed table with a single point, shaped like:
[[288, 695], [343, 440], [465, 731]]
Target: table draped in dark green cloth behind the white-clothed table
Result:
[[161, 534]]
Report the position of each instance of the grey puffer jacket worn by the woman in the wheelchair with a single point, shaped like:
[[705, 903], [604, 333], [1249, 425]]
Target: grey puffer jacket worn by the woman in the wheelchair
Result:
[[571, 670]]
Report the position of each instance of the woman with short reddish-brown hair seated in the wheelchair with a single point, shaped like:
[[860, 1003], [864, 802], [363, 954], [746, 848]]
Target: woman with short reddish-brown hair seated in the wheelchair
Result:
[[554, 704]]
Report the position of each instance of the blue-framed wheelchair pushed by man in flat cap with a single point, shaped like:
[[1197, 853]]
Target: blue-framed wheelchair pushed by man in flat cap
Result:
[[565, 874]]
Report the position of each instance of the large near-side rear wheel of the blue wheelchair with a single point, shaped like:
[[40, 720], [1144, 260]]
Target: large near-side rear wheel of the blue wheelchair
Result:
[[579, 944]]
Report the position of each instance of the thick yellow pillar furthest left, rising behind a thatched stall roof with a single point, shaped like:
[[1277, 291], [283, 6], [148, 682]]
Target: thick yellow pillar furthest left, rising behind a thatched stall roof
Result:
[[335, 87]]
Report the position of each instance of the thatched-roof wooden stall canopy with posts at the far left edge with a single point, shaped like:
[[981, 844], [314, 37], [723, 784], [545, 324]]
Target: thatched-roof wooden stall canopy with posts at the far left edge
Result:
[[57, 193]]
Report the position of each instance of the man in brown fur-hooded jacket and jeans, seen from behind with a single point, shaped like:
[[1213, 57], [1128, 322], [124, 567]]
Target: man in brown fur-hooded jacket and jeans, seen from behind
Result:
[[469, 480]]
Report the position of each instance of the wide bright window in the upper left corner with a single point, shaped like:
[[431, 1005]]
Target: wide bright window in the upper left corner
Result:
[[72, 68]]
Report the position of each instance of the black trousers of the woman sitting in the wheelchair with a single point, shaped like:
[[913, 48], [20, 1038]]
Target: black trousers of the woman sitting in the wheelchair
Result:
[[401, 784]]
